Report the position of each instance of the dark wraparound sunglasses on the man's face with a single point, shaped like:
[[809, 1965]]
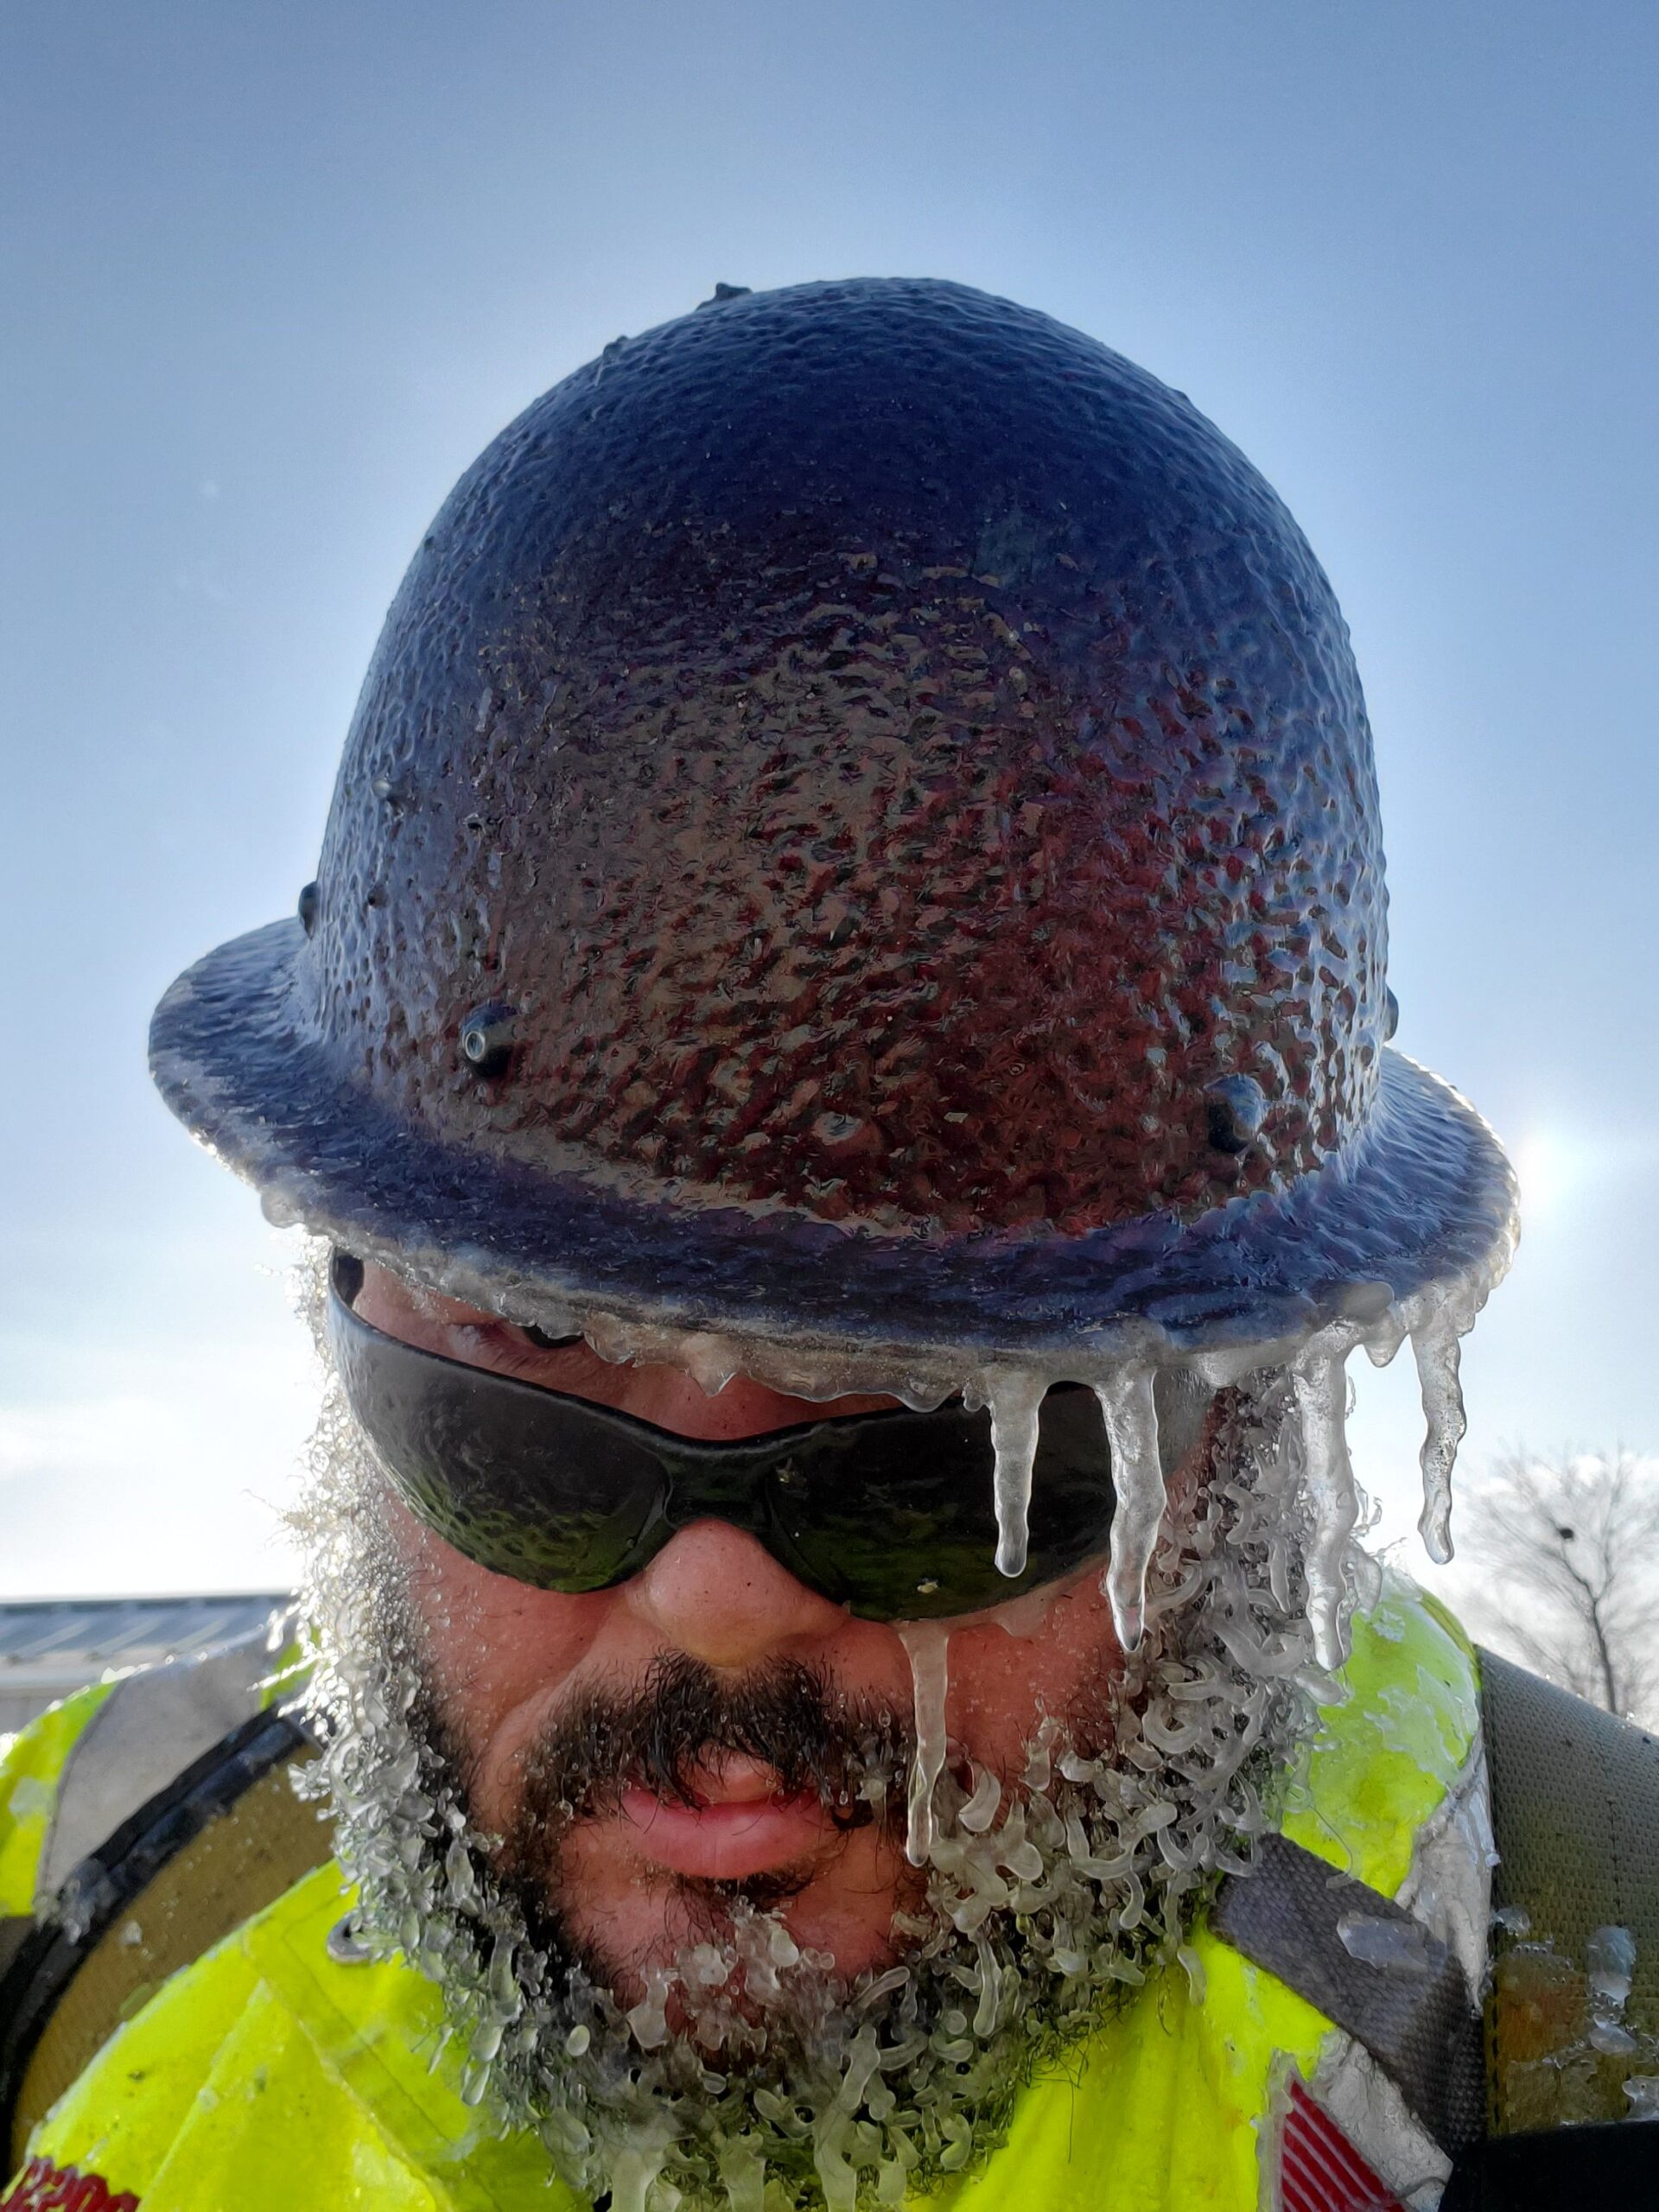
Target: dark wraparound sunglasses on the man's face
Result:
[[888, 1514]]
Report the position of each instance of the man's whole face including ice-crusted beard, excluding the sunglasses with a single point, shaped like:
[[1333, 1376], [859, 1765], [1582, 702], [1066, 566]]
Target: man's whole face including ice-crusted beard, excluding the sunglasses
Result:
[[651, 1841]]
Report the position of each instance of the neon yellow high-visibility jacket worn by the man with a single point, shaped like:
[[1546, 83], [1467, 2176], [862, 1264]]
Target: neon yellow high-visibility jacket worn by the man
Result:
[[269, 2076]]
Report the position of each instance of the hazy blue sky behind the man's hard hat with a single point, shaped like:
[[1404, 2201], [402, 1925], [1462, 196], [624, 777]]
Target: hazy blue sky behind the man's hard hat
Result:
[[275, 275]]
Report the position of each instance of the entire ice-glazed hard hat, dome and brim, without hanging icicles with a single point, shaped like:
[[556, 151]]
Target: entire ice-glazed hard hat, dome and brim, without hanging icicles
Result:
[[921, 890]]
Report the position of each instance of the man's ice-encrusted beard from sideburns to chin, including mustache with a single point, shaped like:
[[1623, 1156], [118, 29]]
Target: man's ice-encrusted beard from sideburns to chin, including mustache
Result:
[[751, 2072]]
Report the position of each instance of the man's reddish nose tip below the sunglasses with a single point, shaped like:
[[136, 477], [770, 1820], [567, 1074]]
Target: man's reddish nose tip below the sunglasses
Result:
[[722, 1598]]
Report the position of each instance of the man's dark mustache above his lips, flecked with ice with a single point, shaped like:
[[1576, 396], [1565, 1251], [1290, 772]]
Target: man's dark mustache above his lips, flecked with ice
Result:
[[685, 1715]]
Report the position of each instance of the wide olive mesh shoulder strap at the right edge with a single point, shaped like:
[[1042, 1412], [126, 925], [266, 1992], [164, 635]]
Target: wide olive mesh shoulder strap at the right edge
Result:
[[1576, 1822]]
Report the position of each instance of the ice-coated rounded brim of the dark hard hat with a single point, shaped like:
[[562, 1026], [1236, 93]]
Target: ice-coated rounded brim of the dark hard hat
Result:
[[1421, 1202]]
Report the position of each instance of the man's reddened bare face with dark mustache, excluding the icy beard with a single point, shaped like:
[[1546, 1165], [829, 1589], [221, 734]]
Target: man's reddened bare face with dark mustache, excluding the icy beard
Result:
[[711, 1642]]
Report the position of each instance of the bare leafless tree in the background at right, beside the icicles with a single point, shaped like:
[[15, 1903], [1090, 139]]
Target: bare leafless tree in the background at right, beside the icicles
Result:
[[1569, 1554]]
